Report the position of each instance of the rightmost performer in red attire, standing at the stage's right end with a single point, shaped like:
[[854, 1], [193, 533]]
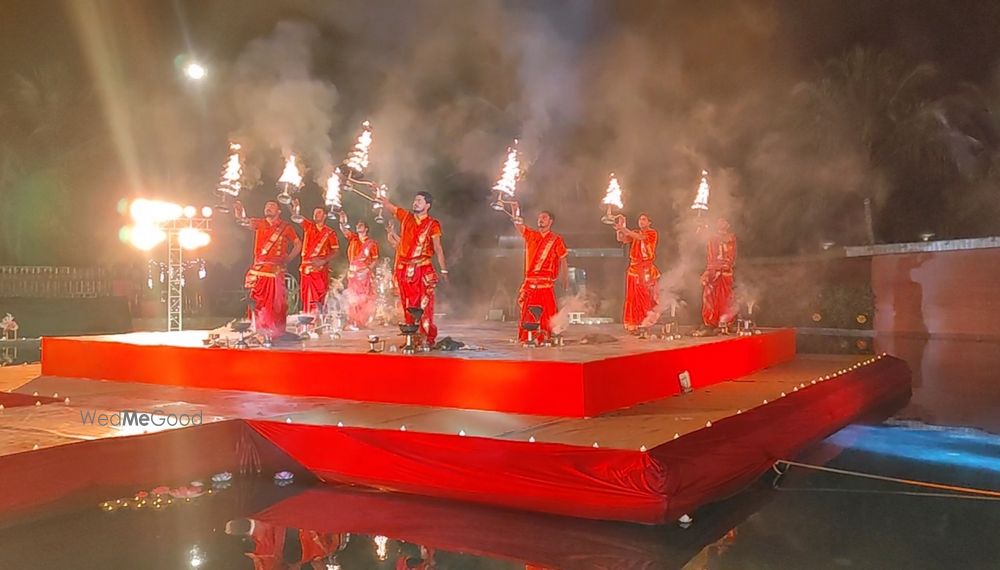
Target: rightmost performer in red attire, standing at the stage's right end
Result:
[[717, 307]]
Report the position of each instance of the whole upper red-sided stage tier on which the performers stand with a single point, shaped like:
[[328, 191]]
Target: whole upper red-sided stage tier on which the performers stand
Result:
[[576, 380]]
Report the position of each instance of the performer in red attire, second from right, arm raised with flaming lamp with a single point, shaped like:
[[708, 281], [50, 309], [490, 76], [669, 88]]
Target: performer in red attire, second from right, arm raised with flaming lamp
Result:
[[642, 275]]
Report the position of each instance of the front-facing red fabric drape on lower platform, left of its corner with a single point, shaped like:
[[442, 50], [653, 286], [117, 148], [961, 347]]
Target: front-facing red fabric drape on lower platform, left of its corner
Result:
[[547, 477]]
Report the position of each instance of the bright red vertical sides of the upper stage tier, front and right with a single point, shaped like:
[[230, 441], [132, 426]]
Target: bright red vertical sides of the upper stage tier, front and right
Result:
[[549, 388]]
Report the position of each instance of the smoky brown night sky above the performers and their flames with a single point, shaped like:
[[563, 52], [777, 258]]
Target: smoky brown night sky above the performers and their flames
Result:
[[764, 94]]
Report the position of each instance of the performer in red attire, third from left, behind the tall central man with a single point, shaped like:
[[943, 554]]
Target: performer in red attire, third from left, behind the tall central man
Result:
[[362, 254]]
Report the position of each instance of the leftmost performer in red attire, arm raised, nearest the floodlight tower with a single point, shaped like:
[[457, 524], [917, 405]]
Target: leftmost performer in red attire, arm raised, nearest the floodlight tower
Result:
[[266, 277]]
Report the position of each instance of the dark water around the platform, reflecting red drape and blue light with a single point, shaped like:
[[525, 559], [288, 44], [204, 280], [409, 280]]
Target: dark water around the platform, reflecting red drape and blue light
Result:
[[804, 519]]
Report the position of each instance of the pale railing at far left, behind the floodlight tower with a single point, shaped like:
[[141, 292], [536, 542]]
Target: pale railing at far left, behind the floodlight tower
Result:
[[55, 282]]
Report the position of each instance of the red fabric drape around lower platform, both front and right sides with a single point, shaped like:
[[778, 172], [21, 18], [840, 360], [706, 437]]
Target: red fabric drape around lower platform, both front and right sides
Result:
[[646, 487]]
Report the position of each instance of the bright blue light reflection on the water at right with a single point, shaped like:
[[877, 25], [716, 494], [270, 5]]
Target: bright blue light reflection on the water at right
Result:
[[945, 446]]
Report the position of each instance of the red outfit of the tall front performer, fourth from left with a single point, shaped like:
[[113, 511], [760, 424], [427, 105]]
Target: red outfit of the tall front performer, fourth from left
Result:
[[415, 276]]
